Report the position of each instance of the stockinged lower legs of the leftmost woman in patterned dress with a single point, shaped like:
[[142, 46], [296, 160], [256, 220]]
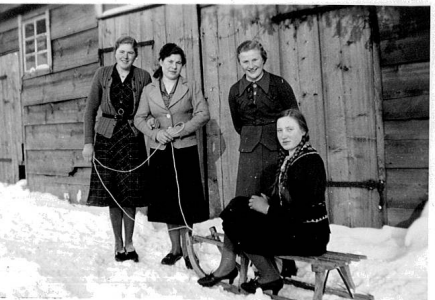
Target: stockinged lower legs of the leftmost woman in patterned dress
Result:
[[117, 216]]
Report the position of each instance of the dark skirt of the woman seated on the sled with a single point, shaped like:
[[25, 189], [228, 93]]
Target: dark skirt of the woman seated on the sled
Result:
[[256, 233]]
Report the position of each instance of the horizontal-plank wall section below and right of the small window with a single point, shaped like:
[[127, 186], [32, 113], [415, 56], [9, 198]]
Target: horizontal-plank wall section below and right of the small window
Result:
[[53, 105]]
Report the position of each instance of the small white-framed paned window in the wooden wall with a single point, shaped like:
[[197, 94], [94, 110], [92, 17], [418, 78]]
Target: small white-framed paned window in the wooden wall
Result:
[[22, 24]]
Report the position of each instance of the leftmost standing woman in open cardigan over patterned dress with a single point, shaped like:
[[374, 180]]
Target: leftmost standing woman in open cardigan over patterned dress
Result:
[[118, 145]]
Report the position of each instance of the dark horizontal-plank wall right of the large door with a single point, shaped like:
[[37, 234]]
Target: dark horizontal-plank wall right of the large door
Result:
[[405, 46]]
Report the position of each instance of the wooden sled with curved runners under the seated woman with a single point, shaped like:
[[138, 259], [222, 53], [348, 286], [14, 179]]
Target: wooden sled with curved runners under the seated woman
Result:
[[320, 265]]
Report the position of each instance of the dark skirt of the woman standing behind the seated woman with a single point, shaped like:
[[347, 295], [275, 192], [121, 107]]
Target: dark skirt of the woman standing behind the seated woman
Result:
[[256, 171]]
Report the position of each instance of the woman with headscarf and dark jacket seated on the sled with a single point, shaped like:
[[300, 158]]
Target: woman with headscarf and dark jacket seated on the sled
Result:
[[293, 221]]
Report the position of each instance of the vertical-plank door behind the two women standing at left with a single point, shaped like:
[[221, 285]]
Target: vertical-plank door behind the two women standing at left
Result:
[[154, 27]]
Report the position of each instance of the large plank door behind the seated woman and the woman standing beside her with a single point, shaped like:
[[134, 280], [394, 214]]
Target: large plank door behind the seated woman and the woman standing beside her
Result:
[[329, 59]]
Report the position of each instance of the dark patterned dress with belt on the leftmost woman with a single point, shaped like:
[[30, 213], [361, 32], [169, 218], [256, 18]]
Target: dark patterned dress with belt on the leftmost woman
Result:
[[124, 150]]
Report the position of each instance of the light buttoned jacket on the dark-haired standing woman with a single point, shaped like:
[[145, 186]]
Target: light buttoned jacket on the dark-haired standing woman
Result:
[[187, 106]]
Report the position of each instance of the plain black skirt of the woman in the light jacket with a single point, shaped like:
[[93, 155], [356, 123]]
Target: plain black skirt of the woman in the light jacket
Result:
[[168, 204]]
